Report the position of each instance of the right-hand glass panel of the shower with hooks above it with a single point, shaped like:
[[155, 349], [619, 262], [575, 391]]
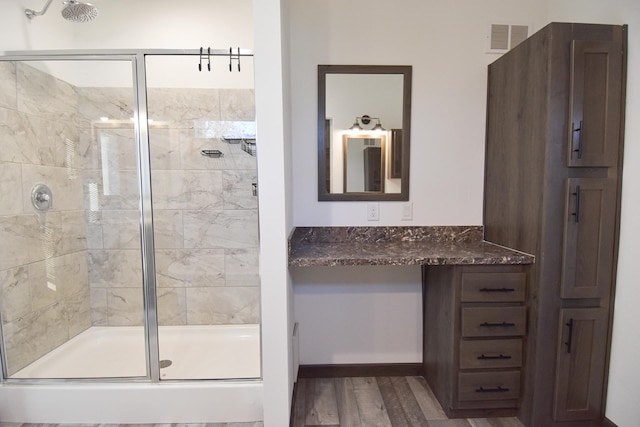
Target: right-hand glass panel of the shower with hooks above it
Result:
[[203, 173]]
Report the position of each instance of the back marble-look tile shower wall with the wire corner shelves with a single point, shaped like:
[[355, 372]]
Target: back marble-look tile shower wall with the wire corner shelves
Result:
[[205, 214]]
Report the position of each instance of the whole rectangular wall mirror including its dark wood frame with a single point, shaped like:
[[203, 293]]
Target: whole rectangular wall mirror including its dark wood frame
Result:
[[364, 123]]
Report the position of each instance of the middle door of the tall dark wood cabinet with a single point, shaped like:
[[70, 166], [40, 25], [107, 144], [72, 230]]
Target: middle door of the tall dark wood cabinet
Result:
[[588, 238]]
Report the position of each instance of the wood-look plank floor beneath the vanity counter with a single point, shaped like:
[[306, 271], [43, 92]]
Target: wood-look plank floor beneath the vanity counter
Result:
[[375, 401]]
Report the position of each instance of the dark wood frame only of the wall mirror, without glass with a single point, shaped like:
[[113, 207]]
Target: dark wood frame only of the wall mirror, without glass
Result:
[[406, 72]]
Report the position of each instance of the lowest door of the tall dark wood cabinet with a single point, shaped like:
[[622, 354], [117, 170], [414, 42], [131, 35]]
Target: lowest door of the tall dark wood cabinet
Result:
[[580, 364]]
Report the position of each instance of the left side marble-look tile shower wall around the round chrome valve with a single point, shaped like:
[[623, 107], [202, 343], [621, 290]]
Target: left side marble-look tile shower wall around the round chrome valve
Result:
[[44, 300]]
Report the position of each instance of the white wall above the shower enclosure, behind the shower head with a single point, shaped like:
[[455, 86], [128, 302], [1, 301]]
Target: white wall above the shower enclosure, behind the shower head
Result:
[[124, 24]]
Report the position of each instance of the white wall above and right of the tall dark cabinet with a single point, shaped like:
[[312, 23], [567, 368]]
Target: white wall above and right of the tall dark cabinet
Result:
[[624, 372]]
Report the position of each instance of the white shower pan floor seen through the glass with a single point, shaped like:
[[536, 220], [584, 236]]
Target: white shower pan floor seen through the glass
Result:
[[195, 352]]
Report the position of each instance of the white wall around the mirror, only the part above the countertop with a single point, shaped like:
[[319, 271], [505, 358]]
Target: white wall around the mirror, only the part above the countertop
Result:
[[447, 51]]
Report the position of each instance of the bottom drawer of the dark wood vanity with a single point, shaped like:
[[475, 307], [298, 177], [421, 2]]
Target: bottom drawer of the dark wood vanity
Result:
[[488, 385]]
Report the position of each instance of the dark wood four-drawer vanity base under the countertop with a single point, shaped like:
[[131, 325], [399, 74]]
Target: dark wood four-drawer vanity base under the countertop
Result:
[[473, 358]]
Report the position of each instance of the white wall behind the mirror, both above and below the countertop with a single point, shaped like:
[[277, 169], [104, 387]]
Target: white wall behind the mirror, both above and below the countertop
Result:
[[447, 50]]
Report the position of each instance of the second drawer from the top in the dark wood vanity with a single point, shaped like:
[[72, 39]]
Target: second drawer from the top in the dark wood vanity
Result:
[[493, 321]]
